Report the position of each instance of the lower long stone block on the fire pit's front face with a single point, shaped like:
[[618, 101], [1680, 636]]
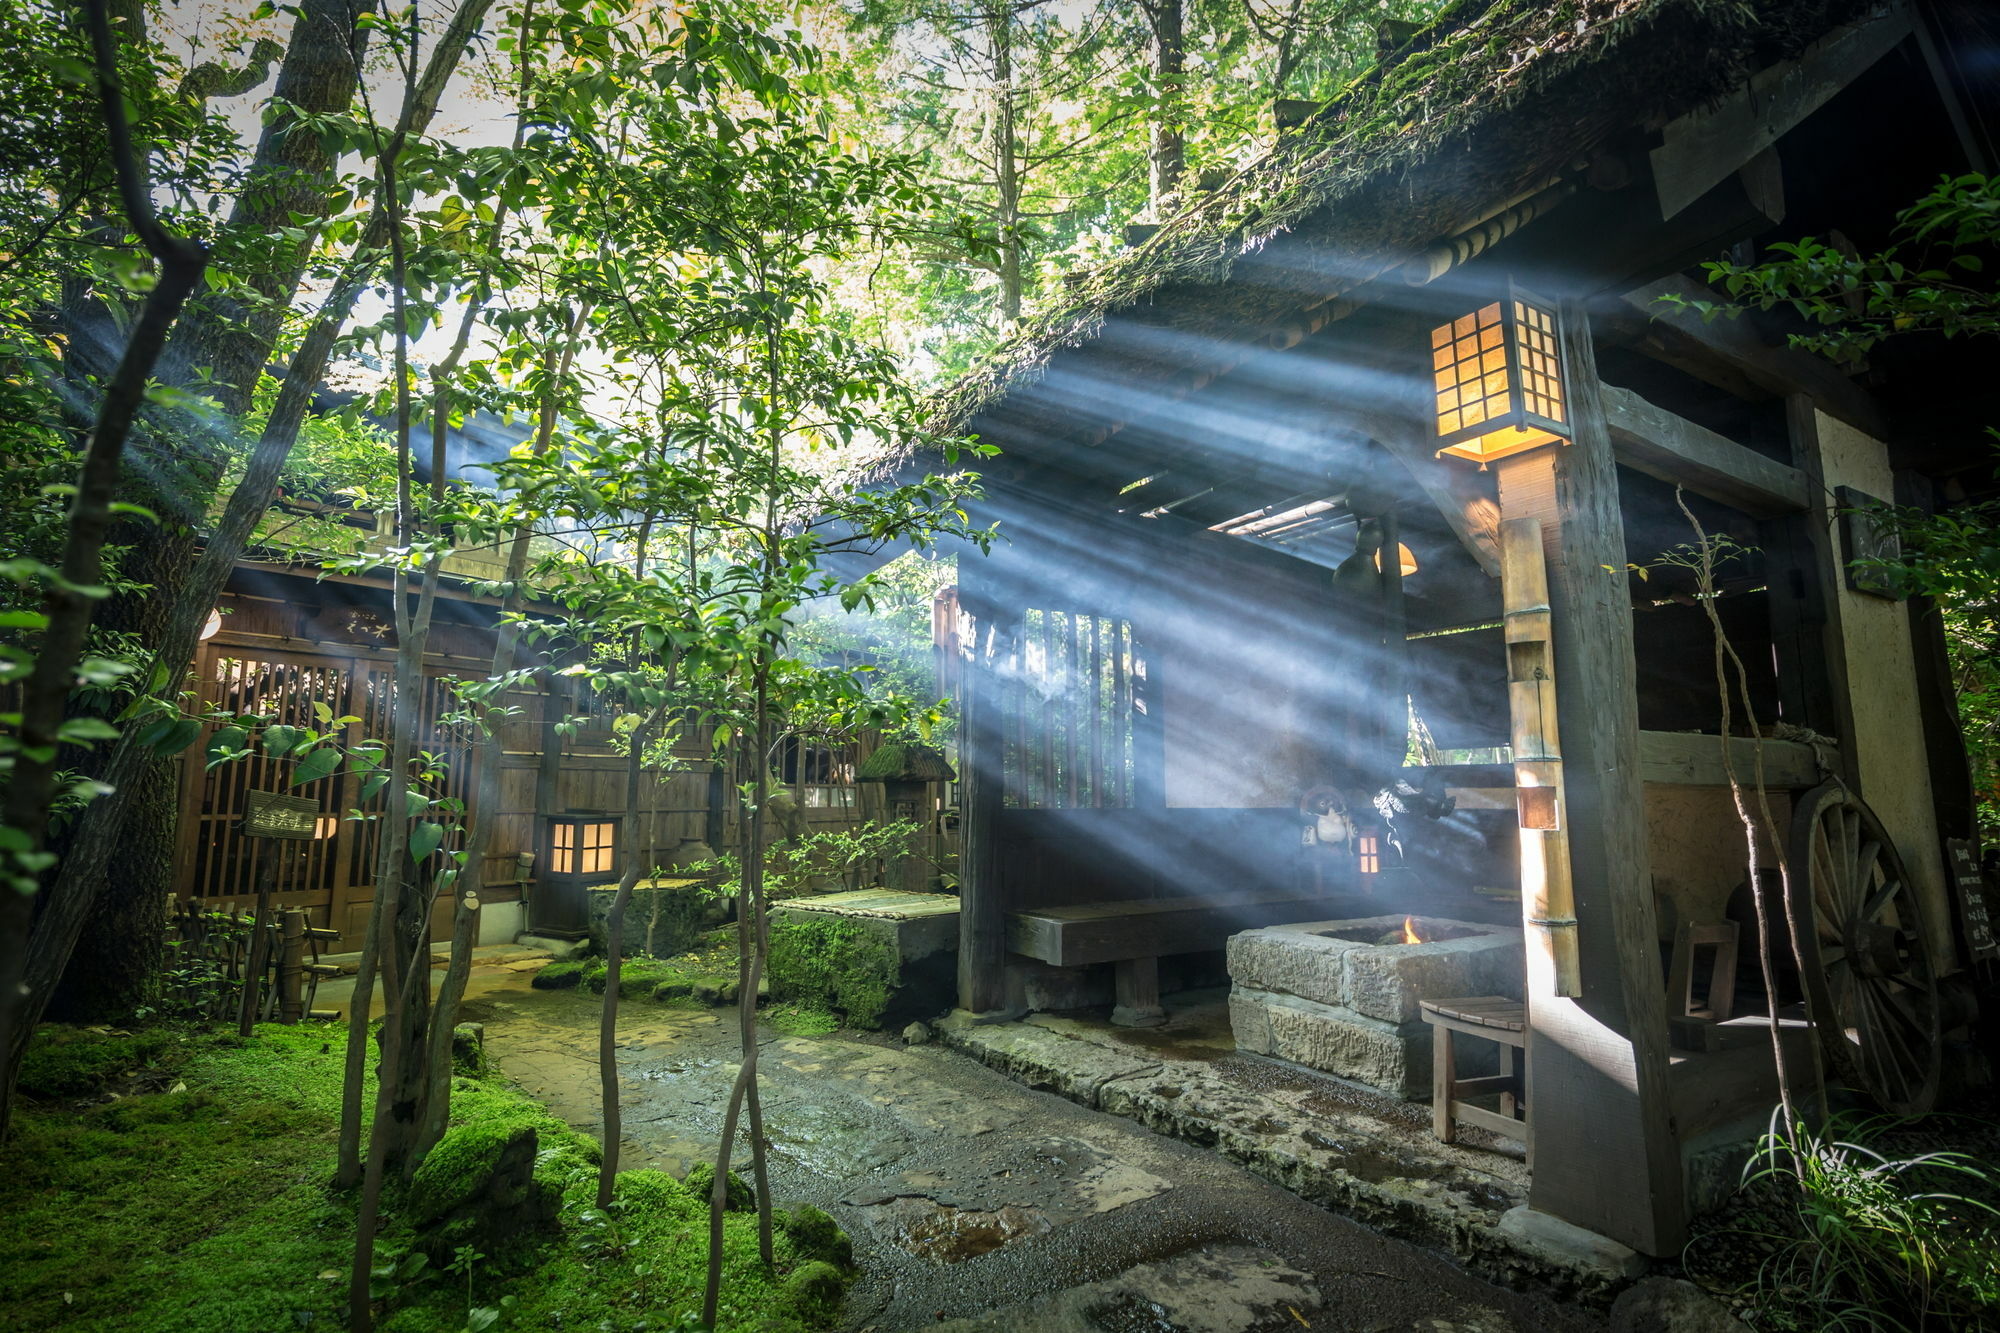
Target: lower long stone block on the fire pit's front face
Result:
[[1393, 1058]]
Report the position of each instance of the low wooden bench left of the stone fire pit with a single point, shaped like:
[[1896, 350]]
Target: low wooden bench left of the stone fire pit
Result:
[[1135, 936]]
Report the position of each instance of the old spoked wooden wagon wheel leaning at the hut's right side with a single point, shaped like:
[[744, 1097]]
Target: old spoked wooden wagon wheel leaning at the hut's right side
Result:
[[1865, 960]]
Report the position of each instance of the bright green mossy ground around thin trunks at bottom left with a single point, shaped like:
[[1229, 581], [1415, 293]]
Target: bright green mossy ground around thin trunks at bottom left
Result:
[[179, 1184]]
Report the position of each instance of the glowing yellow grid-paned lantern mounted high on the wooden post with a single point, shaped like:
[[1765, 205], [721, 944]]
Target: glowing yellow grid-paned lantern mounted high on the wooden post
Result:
[[1499, 381]]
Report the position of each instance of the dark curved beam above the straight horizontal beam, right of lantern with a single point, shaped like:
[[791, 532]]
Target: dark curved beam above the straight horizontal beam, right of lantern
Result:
[[1731, 355]]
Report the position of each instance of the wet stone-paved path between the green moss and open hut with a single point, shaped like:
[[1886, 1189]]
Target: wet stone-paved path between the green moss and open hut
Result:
[[979, 1204]]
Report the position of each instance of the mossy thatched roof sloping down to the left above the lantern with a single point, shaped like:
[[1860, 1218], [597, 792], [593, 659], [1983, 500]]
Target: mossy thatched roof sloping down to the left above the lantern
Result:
[[1491, 101]]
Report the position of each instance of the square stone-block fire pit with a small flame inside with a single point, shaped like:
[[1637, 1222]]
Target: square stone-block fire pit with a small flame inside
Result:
[[1337, 998]]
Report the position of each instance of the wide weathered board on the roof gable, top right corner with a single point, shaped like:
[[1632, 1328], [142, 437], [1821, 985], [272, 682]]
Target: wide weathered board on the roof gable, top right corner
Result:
[[1701, 149]]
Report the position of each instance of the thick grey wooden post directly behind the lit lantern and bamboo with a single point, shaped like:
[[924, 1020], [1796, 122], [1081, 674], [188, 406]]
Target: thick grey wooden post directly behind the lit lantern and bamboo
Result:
[[1597, 1066]]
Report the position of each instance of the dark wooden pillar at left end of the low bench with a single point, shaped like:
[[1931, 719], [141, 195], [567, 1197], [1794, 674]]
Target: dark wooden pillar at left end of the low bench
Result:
[[983, 796]]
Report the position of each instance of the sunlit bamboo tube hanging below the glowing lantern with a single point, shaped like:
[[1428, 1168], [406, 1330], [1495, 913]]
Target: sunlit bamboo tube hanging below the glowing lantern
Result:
[[1547, 898]]
